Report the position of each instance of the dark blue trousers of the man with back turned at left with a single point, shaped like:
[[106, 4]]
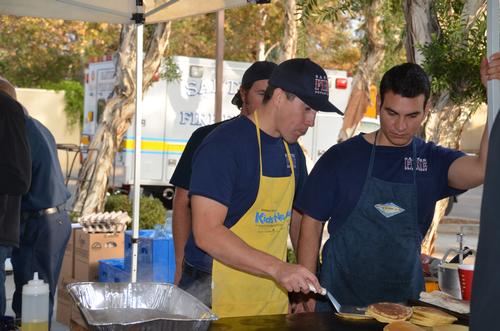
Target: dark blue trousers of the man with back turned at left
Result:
[[42, 244]]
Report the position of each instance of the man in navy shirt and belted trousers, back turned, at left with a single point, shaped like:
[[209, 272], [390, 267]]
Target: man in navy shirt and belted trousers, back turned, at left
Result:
[[45, 227]]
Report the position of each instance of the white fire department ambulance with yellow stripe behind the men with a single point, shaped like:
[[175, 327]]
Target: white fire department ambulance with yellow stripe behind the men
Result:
[[174, 109]]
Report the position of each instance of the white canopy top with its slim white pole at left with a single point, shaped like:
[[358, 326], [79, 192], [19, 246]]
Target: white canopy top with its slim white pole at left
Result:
[[137, 12]]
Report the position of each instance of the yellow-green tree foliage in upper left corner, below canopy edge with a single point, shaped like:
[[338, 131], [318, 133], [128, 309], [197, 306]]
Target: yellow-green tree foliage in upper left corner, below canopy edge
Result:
[[36, 51]]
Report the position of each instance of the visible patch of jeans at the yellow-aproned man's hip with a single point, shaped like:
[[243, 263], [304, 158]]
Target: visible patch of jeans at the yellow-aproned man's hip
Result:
[[197, 283]]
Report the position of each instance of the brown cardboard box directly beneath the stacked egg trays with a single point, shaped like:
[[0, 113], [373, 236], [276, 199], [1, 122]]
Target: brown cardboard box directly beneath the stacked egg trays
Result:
[[90, 248]]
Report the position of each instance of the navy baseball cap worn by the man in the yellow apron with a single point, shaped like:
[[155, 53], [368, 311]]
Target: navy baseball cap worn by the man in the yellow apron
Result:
[[307, 80]]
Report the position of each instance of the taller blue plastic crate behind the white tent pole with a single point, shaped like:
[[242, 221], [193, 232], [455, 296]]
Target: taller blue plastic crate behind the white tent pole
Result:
[[156, 256]]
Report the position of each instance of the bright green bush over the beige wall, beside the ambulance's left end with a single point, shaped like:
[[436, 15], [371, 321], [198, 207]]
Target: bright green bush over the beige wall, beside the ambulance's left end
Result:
[[73, 96]]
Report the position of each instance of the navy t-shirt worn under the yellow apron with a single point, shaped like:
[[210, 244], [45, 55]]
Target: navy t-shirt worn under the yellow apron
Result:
[[226, 169]]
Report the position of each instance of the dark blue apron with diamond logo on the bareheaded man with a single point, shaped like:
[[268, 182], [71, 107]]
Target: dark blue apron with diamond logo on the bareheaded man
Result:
[[375, 255]]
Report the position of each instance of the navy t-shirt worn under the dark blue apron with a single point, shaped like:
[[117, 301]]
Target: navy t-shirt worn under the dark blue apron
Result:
[[334, 186]]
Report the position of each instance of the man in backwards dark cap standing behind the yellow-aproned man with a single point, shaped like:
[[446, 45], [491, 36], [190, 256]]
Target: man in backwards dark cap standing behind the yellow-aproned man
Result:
[[247, 99]]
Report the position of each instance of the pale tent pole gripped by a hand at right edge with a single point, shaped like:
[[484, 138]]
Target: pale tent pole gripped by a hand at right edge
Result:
[[493, 47]]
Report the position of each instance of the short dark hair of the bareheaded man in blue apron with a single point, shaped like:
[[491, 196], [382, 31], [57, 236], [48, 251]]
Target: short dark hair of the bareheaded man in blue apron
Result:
[[408, 80]]
